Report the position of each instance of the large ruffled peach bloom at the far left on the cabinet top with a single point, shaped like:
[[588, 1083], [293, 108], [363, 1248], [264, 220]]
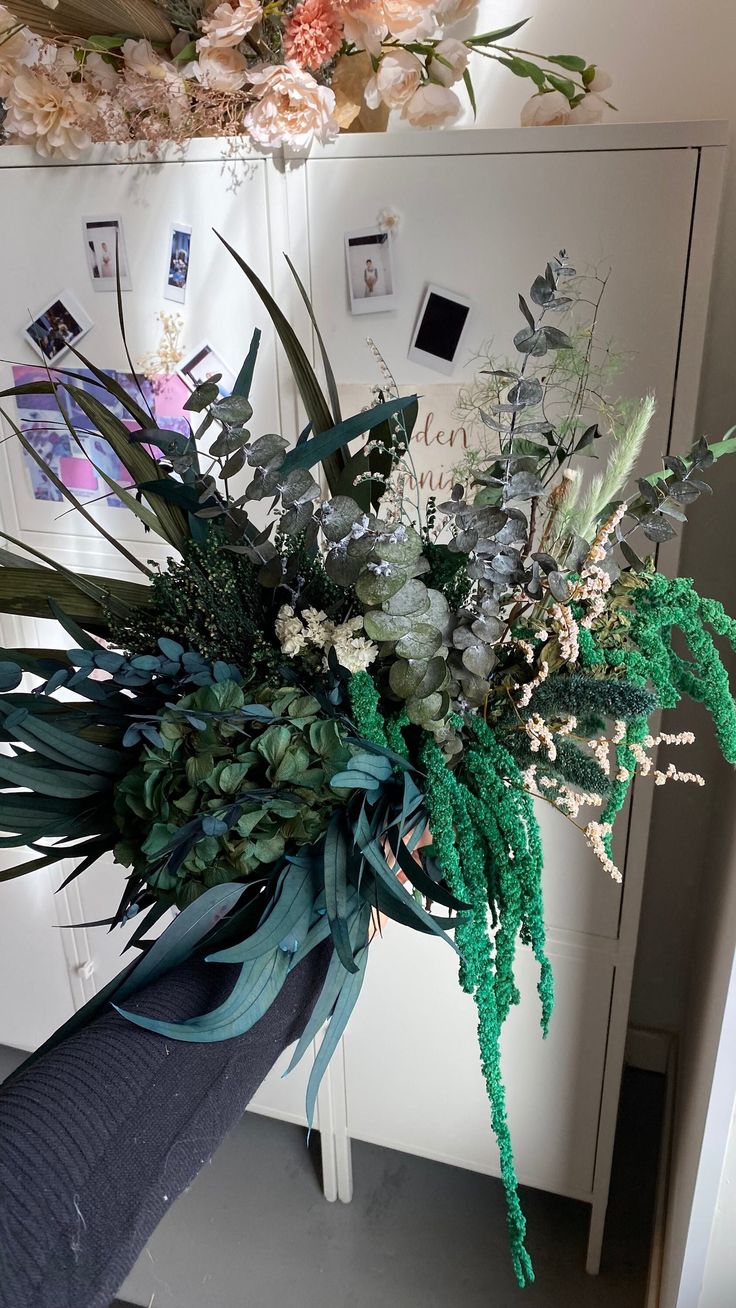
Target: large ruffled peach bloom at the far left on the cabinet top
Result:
[[52, 114]]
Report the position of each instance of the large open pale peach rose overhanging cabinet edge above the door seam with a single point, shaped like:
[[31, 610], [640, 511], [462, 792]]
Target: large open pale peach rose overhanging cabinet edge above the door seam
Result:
[[292, 108]]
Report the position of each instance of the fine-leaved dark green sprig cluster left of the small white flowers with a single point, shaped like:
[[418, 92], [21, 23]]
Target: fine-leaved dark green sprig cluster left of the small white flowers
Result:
[[212, 602]]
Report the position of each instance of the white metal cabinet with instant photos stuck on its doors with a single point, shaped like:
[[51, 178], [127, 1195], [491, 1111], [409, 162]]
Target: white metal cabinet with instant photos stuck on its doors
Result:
[[482, 214]]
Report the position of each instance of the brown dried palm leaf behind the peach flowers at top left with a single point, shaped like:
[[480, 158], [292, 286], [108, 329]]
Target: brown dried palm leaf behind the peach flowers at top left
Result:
[[96, 18]]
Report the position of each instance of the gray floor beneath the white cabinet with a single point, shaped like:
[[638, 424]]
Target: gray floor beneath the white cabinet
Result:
[[254, 1230]]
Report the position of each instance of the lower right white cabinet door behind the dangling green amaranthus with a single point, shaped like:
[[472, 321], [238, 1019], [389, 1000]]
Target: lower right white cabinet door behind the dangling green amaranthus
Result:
[[414, 1078]]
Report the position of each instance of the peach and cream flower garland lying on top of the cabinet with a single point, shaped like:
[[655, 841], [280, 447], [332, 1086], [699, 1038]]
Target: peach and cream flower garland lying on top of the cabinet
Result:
[[282, 73]]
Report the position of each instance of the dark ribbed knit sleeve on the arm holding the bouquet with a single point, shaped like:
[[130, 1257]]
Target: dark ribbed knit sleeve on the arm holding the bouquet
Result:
[[101, 1135]]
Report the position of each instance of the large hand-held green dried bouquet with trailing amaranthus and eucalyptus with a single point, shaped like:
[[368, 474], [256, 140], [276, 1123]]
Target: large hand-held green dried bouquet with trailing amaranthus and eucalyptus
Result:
[[355, 711]]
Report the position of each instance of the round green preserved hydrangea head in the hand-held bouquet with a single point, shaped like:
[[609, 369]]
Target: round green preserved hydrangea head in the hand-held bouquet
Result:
[[232, 785]]
